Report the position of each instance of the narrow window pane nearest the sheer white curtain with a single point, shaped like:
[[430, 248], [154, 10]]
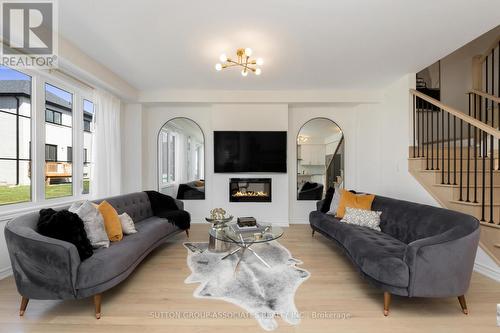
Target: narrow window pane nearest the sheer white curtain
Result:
[[88, 137]]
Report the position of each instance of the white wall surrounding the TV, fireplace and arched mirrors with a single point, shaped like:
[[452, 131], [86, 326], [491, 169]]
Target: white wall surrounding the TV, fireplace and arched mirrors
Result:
[[375, 126]]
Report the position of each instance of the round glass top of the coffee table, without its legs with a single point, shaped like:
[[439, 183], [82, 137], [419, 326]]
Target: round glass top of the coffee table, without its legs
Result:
[[227, 234]]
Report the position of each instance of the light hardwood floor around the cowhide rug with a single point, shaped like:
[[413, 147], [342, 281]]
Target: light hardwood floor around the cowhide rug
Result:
[[157, 286]]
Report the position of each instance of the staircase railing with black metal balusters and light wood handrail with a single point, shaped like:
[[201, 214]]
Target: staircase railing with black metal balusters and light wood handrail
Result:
[[461, 147]]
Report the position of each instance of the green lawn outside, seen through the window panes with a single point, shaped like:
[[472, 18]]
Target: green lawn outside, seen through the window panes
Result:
[[16, 194]]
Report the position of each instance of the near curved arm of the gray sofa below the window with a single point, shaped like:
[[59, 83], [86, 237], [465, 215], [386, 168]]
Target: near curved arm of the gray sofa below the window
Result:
[[43, 267]]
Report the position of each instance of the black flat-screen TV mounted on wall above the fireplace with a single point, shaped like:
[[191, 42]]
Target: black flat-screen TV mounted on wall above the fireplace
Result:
[[249, 151]]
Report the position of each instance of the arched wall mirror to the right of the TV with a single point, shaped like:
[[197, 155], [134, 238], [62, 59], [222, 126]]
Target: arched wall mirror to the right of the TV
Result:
[[320, 158]]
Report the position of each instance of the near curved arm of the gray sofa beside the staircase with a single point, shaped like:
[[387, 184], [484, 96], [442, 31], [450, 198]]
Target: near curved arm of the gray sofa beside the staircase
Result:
[[440, 266]]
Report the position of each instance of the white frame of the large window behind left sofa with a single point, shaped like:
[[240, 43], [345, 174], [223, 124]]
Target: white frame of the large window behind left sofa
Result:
[[37, 150]]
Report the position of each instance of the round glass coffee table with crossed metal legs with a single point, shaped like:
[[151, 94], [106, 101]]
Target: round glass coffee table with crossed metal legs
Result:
[[244, 240]]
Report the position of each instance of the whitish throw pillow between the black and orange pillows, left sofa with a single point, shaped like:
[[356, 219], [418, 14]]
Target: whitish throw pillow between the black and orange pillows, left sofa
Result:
[[93, 223]]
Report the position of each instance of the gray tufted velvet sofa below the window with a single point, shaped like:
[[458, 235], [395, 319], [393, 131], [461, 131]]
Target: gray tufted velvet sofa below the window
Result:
[[50, 269]]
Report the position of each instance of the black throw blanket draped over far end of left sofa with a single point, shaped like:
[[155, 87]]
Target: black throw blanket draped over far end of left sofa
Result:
[[165, 206]]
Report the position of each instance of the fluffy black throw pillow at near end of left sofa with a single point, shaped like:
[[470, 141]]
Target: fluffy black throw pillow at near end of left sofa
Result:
[[66, 226]]
